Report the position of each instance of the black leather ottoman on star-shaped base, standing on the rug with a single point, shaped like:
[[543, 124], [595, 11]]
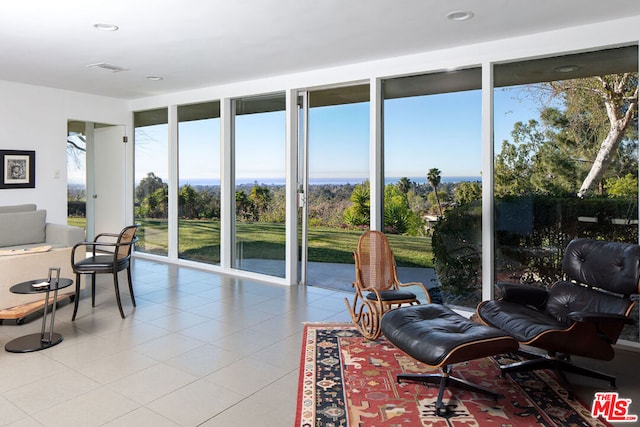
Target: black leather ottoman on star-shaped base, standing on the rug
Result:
[[439, 337]]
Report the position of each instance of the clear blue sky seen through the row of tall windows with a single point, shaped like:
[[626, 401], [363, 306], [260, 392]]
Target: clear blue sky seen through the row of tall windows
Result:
[[436, 131]]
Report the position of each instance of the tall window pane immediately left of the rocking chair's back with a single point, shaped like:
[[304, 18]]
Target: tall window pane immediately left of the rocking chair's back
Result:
[[338, 191]]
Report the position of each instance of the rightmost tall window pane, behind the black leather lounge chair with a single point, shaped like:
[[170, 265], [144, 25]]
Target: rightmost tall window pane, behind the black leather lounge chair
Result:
[[554, 119]]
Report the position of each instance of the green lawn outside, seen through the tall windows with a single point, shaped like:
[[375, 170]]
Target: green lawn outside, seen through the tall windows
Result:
[[200, 241]]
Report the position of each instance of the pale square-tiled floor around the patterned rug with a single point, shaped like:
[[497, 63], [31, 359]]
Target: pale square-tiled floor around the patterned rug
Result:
[[200, 349]]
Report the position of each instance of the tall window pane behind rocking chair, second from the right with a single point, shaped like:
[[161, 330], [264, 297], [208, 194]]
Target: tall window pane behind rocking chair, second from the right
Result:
[[432, 198]]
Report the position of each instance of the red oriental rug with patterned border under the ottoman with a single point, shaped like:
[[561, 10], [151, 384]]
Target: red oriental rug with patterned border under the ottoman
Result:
[[348, 381]]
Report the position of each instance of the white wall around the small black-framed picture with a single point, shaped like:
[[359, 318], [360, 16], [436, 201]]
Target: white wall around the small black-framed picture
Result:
[[35, 118]]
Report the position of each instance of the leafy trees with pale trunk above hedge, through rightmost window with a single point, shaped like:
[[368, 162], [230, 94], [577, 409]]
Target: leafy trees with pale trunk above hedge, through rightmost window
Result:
[[574, 150]]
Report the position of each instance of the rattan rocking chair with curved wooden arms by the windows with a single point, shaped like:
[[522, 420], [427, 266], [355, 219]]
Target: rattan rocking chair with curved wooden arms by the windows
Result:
[[377, 286]]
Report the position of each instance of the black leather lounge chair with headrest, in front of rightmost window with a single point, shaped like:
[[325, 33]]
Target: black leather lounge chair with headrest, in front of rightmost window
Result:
[[581, 315]]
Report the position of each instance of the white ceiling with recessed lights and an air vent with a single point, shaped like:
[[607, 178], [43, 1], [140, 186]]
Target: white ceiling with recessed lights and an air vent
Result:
[[198, 43]]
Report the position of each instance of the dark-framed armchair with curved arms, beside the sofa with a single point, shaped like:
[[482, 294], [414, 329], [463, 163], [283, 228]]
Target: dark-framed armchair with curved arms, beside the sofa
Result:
[[109, 253]]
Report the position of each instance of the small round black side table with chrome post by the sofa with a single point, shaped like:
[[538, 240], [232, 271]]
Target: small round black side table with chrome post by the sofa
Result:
[[42, 340]]
